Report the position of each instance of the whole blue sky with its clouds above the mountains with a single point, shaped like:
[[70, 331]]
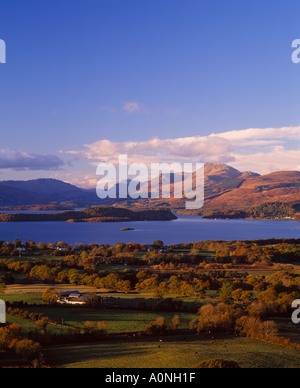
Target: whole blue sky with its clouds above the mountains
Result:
[[129, 71]]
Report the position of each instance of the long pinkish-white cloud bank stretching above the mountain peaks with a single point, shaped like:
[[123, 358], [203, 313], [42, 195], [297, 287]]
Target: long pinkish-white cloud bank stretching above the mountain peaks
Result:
[[260, 150]]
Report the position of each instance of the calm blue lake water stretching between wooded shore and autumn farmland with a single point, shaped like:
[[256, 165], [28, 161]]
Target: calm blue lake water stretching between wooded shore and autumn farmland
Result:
[[183, 230]]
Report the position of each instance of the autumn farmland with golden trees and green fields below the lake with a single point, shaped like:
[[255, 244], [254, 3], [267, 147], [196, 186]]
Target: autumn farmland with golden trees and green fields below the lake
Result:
[[159, 306]]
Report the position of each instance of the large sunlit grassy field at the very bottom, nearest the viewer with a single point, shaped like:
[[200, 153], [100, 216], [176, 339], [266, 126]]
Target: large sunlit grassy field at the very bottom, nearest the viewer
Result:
[[174, 352]]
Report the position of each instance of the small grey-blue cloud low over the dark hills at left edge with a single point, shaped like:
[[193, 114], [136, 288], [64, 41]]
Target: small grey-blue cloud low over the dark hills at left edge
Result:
[[18, 160]]
